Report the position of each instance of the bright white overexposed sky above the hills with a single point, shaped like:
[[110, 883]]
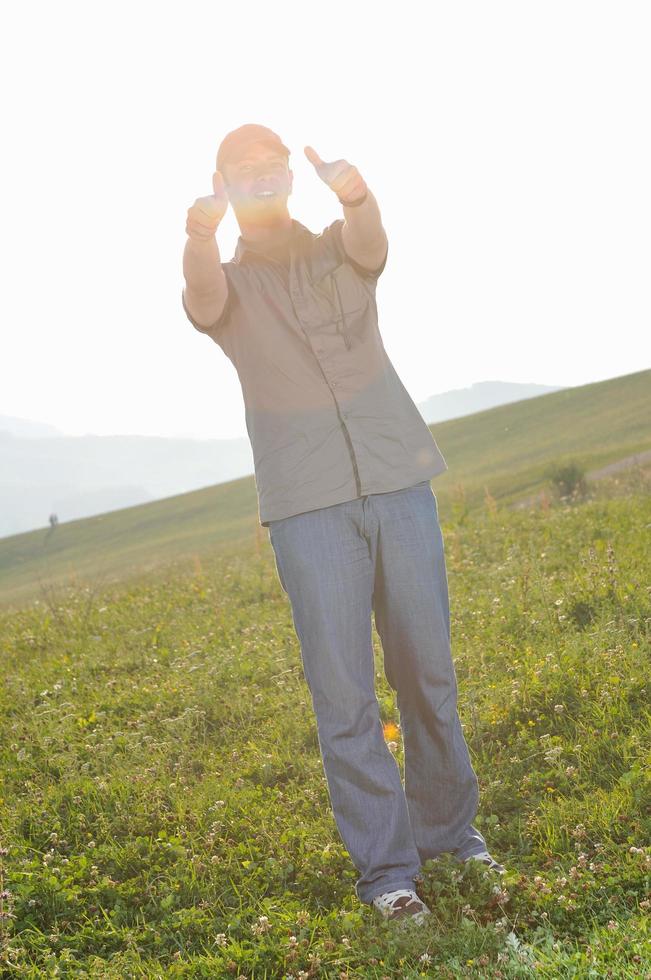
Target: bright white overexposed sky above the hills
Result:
[[508, 145]]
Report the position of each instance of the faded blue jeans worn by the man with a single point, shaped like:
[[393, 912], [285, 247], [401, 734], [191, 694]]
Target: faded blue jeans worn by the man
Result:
[[382, 553]]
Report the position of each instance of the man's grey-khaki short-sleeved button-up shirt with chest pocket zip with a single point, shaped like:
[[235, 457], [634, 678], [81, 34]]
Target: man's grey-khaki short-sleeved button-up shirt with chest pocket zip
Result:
[[328, 418]]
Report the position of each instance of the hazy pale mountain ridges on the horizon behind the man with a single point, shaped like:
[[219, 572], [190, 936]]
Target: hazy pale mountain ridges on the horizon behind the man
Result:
[[45, 471]]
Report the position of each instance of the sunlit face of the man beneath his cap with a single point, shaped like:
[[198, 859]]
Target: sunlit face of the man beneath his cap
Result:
[[260, 181]]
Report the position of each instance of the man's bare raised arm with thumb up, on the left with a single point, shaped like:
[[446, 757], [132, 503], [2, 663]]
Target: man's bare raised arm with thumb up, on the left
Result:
[[206, 289]]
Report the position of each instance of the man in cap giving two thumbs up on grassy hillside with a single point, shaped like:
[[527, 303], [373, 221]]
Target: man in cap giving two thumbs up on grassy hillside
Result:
[[343, 462]]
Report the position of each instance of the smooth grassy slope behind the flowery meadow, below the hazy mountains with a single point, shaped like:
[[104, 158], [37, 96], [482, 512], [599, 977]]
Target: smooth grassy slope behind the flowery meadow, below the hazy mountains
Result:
[[504, 449]]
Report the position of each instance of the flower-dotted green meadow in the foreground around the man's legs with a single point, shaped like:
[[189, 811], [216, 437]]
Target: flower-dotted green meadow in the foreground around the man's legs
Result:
[[162, 790]]
